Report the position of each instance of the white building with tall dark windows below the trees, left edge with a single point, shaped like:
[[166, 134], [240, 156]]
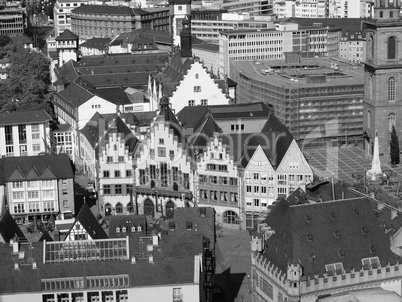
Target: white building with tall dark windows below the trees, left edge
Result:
[[25, 134]]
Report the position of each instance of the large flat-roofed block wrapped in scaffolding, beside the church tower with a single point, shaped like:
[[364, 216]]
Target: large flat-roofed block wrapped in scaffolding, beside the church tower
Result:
[[319, 100]]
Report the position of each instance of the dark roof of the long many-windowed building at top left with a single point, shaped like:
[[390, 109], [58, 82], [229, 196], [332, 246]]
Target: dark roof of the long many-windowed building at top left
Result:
[[107, 10]]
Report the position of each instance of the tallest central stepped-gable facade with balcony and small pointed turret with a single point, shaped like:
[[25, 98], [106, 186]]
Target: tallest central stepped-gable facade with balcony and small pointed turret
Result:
[[163, 175]]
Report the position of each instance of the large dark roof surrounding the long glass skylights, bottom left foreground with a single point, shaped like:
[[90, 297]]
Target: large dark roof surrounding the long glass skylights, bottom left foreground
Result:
[[173, 263]]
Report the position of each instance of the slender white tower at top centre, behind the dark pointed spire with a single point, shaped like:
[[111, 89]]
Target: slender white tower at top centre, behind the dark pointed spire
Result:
[[178, 11]]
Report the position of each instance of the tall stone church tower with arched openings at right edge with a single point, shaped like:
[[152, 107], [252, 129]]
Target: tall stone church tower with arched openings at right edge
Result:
[[383, 76]]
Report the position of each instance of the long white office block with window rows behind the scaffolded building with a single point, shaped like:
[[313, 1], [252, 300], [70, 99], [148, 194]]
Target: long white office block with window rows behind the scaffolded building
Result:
[[272, 44]]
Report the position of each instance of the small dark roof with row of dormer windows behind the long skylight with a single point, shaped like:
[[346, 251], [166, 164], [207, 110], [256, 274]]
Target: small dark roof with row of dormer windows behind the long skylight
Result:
[[127, 221]]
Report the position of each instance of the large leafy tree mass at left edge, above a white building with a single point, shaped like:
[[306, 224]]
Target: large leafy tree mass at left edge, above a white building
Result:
[[28, 81]]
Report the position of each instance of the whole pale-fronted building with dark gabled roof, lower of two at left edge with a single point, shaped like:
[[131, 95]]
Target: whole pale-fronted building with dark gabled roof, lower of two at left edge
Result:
[[37, 187]]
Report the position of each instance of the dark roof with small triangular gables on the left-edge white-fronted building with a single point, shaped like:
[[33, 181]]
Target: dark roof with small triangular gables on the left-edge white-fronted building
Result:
[[50, 166]]
